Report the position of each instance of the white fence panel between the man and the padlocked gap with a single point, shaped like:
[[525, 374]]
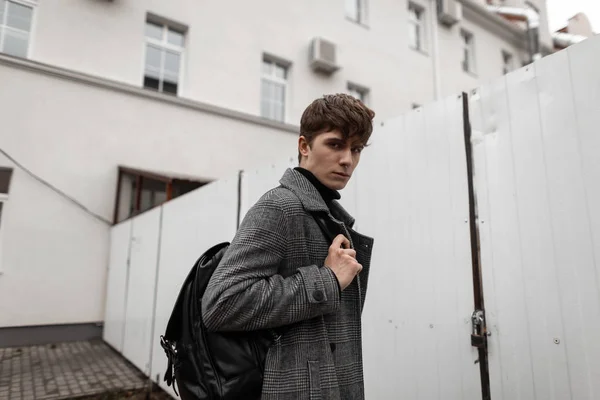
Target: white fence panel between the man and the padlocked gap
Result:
[[413, 199]]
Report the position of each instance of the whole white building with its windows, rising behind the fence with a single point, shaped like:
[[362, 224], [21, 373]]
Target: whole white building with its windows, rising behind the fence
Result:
[[185, 91]]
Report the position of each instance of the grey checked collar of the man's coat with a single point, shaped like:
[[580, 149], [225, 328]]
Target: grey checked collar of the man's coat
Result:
[[311, 198]]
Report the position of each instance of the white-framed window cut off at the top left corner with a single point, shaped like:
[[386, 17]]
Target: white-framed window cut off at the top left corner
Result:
[[15, 26]]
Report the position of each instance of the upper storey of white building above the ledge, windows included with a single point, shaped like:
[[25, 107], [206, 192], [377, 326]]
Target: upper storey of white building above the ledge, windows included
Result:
[[254, 58]]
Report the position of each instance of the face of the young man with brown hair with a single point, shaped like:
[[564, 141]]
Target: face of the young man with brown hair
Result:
[[331, 158]]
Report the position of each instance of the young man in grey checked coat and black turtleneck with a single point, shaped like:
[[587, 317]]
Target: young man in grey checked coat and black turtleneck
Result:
[[282, 271]]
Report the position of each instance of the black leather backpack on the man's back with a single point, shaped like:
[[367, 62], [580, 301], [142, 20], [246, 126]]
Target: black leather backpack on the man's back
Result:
[[214, 365]]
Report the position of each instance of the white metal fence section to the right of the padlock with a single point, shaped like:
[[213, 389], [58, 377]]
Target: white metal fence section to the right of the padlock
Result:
[[537, 172]]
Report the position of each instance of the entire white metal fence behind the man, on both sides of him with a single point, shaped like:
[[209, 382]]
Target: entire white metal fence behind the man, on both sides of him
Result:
[[536, 150]]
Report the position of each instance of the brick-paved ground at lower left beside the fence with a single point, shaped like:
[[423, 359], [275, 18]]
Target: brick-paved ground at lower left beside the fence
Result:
[[64, 371]]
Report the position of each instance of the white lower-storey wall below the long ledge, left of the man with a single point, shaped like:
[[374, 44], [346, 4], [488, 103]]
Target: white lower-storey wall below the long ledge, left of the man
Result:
[[54, 256]]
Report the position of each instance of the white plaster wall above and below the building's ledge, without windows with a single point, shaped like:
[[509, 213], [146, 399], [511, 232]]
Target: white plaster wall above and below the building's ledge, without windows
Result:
[[74, 131]]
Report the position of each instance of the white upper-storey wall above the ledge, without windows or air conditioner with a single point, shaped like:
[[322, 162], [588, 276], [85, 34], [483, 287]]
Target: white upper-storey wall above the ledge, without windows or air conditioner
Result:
[[226, 40]]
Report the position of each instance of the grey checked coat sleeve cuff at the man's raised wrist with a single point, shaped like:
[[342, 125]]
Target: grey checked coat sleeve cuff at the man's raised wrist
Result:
[[322, 287]]
